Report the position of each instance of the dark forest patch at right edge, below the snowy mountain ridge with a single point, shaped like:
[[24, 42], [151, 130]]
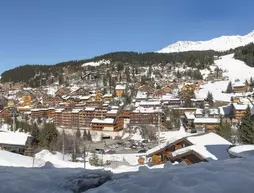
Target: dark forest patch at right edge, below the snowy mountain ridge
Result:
[[246, 54]]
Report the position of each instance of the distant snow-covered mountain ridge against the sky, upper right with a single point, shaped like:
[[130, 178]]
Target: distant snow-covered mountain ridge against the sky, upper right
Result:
[[222, 43]]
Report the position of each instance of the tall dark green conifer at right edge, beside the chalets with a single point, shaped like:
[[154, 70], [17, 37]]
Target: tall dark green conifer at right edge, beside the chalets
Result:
[[246, 129]]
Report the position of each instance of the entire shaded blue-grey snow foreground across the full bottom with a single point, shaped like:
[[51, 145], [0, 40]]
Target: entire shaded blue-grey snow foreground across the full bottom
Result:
[[228, 176]]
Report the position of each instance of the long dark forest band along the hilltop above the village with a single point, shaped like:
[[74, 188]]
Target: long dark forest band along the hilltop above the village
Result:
[[33, 74]]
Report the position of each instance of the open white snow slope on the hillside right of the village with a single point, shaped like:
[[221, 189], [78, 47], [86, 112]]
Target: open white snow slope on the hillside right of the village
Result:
[[234, 69]]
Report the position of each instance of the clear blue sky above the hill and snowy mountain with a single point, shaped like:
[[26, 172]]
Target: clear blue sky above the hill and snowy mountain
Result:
[[51, 31]]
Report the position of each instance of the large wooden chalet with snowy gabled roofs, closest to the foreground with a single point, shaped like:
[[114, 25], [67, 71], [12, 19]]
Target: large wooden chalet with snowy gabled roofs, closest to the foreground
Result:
[[191, 150]]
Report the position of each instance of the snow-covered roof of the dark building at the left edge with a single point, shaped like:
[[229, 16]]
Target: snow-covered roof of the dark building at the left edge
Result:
[[13, 138]]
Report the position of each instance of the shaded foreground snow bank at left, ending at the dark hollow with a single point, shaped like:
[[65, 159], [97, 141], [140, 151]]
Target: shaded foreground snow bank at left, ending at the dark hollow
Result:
[[43, 180]]
